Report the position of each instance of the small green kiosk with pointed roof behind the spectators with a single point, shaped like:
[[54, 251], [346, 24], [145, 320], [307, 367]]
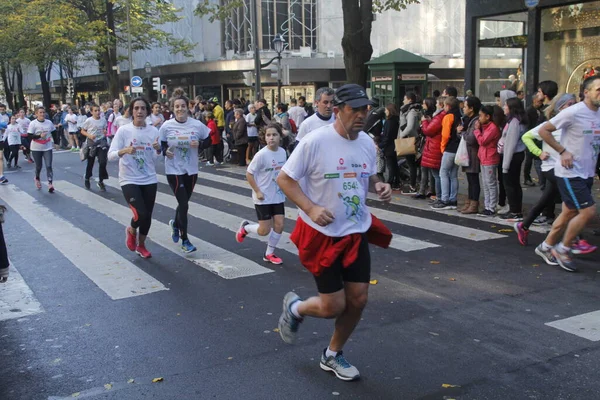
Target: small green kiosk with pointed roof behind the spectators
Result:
[[396, 73]]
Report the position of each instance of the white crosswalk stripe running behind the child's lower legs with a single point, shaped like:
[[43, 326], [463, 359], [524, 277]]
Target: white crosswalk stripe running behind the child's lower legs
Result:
[[216, 217]]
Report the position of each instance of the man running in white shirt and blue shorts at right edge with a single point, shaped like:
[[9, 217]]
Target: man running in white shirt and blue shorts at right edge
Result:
[[578, 149]]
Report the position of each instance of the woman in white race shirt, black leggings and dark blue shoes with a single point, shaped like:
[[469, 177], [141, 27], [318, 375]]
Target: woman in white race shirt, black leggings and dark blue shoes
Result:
[[180, 138]]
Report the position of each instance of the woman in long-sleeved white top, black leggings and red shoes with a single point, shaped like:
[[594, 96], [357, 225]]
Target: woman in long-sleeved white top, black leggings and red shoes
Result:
[[136, 147]]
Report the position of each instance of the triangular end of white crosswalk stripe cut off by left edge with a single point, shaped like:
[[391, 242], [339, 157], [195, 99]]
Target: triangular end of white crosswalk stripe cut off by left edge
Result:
[[16, 298]]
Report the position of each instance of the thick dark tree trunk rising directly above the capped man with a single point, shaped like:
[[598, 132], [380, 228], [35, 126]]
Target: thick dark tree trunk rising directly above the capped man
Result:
[[356, 42]]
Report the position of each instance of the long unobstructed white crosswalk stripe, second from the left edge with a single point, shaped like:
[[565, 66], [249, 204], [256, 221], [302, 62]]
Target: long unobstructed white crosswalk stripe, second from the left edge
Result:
[[112, 273]]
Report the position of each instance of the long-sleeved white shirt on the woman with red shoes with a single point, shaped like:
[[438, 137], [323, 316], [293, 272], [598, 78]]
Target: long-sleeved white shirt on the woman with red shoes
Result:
[[138, 168]]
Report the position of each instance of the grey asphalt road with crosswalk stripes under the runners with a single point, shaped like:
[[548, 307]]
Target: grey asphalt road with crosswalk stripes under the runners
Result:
[[461, 316]]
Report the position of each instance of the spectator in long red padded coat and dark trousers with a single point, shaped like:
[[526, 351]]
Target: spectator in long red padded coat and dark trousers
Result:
[[431, 159]]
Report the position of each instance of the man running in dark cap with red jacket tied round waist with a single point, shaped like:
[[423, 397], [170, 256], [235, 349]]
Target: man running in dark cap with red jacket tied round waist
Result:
[[337, 165]]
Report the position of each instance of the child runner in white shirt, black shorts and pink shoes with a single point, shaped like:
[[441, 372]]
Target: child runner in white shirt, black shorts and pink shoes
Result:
[[268, 198]]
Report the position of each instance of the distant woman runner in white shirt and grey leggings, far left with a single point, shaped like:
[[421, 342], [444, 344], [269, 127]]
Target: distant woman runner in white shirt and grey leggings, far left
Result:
[[40, 132]]
